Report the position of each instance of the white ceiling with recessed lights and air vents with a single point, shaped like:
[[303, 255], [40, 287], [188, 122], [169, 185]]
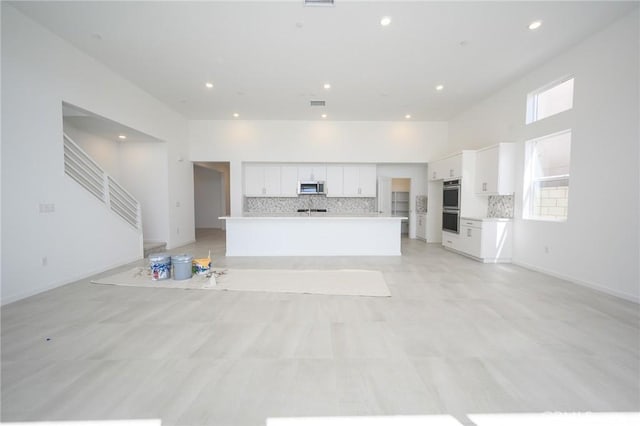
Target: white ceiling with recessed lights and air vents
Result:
[[267, 59]]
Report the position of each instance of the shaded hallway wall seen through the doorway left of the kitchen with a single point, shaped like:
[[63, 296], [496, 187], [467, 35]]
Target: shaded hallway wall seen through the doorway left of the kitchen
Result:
[[209, 193]]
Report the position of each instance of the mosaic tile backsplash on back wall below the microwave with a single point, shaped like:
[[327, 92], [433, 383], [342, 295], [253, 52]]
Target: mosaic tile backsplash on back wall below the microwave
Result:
[[346, 205]]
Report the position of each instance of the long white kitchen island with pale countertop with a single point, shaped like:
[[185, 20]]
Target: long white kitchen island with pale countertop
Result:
[[313, 235]]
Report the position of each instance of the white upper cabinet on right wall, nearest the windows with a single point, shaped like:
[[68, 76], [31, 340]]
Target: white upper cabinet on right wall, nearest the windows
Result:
[[494, 170]]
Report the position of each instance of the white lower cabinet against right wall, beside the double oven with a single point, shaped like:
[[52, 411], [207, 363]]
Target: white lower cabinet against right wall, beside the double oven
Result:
[[487, 240]]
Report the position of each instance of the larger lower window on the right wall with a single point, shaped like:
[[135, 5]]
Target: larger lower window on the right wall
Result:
[[547, 177]]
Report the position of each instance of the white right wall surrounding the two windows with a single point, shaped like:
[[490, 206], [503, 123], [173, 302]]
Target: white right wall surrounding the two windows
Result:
[[598, 245]]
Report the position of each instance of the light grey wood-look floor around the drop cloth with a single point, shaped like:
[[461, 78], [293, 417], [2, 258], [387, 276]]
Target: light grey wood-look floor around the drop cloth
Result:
[[456, 337]]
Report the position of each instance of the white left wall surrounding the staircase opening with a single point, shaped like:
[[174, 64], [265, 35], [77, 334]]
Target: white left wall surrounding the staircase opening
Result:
[[39, 72]]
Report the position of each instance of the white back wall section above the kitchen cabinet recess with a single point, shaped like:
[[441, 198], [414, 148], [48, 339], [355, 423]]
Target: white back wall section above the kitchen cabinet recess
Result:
[[240, 141]]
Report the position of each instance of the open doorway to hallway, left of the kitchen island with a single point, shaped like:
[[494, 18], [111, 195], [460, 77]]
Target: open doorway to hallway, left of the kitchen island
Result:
[[212, 194]]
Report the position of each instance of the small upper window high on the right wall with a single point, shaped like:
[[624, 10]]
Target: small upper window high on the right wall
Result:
[[550, 100]]
